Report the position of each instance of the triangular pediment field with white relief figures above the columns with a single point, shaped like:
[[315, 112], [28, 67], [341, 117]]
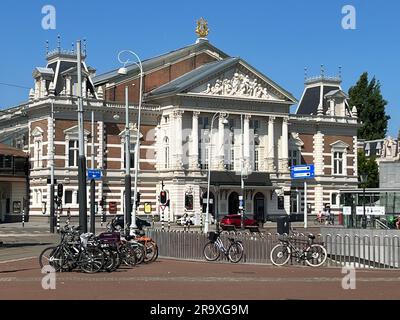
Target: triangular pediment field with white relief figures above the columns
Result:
[[240, 82]]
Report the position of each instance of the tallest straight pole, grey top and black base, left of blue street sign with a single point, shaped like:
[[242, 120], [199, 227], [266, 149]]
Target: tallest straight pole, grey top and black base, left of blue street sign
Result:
[[82, 158]]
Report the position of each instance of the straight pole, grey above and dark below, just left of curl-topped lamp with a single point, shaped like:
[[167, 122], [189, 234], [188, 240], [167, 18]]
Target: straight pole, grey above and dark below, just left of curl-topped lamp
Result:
[[128, 181]]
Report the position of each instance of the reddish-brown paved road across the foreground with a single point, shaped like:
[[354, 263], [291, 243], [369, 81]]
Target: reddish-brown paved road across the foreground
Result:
[[177, 280]]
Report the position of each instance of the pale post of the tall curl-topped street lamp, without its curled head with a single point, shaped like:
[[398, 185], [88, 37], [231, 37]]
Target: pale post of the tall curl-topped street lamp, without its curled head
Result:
[[137, 153]]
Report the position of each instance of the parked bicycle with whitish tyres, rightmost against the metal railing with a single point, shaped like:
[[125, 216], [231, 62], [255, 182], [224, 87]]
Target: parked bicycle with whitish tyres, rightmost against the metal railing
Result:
[[313, 254]]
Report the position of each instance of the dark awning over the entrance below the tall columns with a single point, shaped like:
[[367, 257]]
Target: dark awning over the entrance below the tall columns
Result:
[[224, 178]]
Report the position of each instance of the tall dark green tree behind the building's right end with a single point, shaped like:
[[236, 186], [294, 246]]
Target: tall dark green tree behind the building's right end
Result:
[[366, 96]]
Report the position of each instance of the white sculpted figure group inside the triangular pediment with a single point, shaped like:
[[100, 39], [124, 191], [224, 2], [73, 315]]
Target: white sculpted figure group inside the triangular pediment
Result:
[[240, 85]]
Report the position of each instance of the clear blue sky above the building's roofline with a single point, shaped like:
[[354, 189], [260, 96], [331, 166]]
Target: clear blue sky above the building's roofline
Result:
[[279, 38]]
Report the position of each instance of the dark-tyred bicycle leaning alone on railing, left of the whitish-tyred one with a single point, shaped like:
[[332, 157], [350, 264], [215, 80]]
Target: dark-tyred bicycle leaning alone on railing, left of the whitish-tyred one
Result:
[[213, 249]]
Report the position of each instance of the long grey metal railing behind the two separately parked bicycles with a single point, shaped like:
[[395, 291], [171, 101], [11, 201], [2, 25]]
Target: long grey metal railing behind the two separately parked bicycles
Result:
[[379, 252]]
